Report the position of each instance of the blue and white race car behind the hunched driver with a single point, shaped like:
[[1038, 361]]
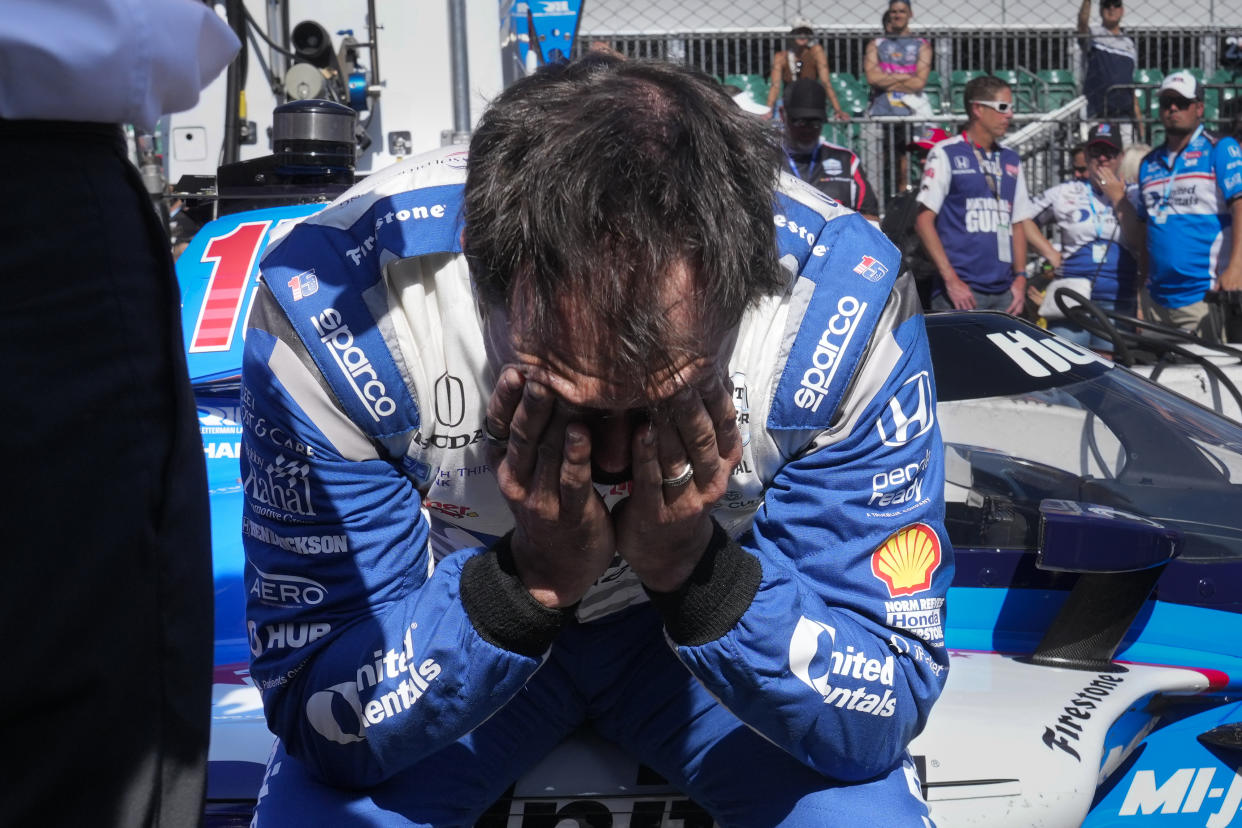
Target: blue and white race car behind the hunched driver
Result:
[[1094, 621]]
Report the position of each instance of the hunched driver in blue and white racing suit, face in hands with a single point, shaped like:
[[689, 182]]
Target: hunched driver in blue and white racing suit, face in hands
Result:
[[748, 598]]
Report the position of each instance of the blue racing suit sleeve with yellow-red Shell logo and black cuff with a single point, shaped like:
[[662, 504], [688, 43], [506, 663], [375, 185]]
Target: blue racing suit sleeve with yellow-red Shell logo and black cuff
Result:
[[839, 655]]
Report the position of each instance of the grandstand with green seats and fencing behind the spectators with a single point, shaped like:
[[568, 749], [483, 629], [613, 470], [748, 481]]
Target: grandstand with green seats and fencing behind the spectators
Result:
[[1041, 59]]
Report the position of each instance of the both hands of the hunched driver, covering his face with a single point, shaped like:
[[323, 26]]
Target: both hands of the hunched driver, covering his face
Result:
[[564, 538]]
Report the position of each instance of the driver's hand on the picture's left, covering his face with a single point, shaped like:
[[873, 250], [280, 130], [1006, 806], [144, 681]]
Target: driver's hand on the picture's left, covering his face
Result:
[[563, 538]]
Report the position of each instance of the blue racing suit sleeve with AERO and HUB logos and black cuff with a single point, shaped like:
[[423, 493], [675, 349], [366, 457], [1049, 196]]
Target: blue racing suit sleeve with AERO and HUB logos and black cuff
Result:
[[366, 662]]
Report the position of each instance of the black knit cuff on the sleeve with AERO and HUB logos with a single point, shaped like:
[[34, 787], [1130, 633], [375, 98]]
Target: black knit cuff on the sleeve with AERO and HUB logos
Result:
[[502, 609]]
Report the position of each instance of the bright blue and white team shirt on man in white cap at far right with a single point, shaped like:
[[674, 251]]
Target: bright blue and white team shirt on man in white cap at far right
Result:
[[1185, 205]]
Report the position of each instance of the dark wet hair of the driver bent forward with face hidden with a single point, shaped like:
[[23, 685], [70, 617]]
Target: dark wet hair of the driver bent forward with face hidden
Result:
[[589, 182]]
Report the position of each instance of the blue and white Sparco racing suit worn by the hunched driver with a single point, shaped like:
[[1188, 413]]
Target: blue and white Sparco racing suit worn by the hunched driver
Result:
[[402, 661]]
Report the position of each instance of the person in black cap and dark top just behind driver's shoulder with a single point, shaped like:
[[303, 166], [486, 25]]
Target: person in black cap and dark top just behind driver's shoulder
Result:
[[834, 171]]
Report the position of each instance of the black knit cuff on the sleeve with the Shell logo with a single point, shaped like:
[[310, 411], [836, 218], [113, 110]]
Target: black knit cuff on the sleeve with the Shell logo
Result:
[[715, 596]]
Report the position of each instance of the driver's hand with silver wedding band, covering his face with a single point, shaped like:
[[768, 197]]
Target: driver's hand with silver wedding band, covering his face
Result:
[[663, 531]]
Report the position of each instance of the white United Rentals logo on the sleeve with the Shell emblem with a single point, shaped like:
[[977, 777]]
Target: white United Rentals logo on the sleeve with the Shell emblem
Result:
[[804, 650]]
